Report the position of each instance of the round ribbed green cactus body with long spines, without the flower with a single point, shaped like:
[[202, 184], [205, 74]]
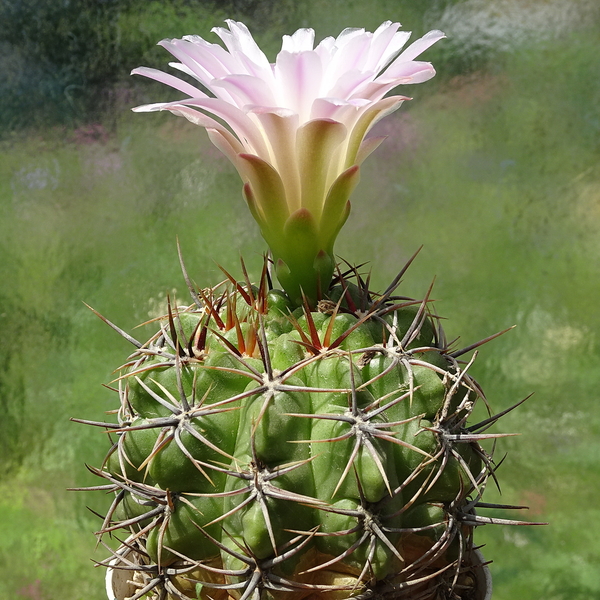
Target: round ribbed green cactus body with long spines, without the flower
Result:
[[268, 451]]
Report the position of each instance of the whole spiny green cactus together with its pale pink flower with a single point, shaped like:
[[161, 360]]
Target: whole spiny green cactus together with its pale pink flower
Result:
[[309, 442]]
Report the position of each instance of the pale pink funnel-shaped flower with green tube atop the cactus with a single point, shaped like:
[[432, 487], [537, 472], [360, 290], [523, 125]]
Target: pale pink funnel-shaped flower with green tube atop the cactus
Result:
[[295, 129]]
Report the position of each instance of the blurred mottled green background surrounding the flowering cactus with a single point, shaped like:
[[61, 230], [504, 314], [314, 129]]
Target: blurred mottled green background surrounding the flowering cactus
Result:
[[493, 168]]
